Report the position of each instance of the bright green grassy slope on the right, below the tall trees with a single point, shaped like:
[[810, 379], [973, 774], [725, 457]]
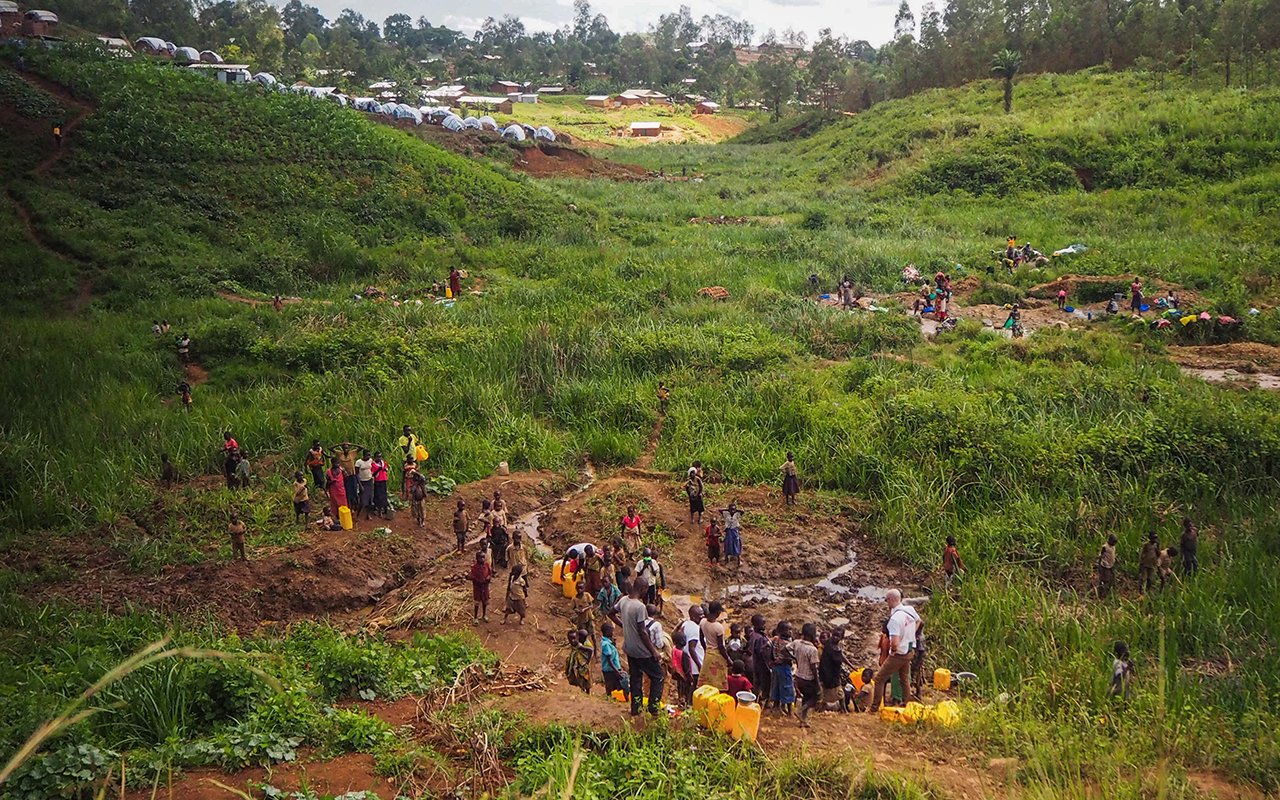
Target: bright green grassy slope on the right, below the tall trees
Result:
[[1195, 173]]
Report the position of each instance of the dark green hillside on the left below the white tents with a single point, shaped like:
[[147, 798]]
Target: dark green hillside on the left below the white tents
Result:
[[180, 182]]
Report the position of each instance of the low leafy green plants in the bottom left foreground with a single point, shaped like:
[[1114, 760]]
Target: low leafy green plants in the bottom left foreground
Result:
[[186, 714]]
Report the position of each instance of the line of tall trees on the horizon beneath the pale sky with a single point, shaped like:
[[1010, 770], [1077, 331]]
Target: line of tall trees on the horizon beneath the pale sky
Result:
[[1238, 39]]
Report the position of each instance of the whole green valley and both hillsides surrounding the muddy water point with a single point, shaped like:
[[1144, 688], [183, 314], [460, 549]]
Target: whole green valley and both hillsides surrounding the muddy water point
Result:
[[181, 200]]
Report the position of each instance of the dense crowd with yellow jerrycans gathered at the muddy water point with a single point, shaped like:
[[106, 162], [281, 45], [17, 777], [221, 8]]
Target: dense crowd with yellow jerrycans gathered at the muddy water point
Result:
[[775, 666]]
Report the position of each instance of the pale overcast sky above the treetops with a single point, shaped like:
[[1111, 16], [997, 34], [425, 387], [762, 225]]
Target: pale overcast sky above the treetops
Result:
[[870, 20]]
